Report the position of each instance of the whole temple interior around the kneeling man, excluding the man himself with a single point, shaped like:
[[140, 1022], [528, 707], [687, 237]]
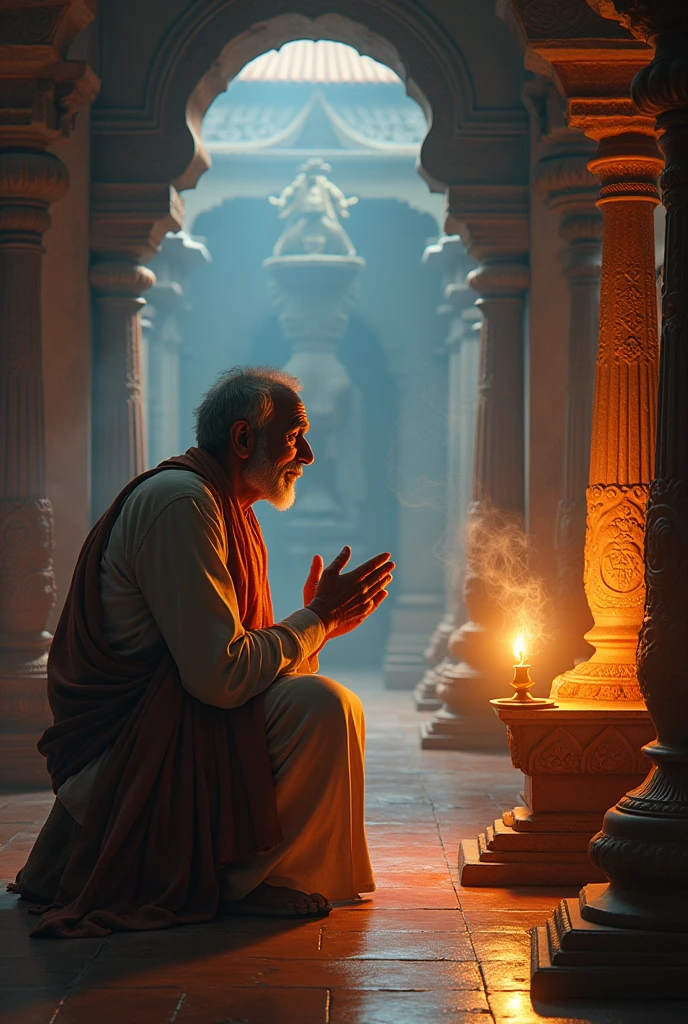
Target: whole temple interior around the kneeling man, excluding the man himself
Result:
[[464, 228]]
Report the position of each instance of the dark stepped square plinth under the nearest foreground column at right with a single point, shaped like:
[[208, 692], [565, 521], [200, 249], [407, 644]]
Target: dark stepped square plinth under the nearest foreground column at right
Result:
[[573, 958]]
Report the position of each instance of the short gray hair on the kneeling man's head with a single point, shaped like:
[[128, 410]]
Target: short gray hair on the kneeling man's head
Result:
[[241, 394]]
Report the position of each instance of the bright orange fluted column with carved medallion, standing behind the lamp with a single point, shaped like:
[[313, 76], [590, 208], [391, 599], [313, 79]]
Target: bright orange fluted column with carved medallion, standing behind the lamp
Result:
[[622, 450]]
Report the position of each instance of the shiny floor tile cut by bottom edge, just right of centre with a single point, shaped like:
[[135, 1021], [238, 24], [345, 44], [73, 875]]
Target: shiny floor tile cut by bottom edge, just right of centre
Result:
[[409, 1008]]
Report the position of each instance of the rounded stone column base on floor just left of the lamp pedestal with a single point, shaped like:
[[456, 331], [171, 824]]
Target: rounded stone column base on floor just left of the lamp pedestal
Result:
[[466, 722]]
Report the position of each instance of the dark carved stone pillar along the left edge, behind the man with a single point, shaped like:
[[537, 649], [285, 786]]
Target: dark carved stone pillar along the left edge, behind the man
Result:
[[40, 94]]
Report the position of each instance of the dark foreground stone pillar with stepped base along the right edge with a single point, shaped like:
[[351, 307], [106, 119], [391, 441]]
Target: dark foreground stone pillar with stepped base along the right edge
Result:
[[640, 919]]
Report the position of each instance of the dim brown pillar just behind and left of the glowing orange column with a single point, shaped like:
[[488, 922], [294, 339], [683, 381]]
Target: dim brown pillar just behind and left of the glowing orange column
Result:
[[571, 190]]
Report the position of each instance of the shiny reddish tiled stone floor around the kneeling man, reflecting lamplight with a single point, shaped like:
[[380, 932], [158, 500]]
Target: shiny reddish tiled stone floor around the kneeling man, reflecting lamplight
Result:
[[422, 951]]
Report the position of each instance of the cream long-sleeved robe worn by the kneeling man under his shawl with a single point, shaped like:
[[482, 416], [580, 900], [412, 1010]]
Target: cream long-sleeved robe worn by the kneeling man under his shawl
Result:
[[164, 582]]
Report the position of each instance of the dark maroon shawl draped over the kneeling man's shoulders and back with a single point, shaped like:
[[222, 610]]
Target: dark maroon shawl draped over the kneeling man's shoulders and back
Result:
[[188, 788]]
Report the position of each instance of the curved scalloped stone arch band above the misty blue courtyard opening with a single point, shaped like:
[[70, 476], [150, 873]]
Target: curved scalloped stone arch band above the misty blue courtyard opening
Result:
[[211, 44]]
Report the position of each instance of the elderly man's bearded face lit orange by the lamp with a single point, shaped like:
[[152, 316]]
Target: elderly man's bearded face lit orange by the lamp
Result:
[[282, 452]]
